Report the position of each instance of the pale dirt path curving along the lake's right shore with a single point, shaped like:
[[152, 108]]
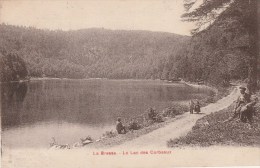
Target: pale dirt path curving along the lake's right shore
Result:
[[180, 127]]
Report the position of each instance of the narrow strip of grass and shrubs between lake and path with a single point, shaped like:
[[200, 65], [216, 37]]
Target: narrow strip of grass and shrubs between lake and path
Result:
[[170, 114]]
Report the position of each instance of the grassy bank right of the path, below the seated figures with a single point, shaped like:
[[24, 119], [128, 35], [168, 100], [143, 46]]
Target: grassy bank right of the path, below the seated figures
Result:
[[209, 130]]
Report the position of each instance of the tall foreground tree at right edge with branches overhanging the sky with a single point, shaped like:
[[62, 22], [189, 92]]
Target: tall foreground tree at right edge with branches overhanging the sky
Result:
[[240, 14]]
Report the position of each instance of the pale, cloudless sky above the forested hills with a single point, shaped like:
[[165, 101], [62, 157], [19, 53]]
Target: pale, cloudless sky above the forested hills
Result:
[[152, 15]]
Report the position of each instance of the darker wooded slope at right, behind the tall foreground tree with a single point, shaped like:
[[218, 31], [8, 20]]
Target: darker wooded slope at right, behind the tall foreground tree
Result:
[[218, 53]]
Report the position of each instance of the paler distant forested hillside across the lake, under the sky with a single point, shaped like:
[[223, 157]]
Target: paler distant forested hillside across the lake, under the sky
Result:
[[91, 52]]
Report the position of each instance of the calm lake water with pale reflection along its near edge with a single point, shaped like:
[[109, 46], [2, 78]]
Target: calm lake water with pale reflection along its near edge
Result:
[[34, 112]]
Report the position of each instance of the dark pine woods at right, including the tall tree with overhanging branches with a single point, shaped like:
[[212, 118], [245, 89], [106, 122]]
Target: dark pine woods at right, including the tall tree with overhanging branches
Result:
[[224, 45]]
